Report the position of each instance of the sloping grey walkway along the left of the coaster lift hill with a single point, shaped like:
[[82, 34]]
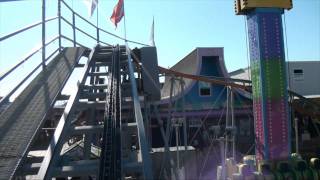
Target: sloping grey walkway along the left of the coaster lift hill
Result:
[[23, 118]]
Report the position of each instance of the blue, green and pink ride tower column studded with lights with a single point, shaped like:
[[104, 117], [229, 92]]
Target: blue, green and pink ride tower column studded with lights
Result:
[[269, 84]]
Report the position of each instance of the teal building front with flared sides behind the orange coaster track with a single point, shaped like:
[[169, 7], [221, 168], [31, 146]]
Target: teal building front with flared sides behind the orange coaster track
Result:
[[207, 62]]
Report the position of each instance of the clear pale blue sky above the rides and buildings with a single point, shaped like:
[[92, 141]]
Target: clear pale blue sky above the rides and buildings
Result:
[[180, 26]]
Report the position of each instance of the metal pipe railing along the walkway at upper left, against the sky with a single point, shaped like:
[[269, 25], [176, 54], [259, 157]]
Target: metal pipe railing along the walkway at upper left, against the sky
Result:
[[59, 37]]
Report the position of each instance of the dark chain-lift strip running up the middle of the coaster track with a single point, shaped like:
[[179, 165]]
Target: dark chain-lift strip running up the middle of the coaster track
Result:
[[110, 159]]
